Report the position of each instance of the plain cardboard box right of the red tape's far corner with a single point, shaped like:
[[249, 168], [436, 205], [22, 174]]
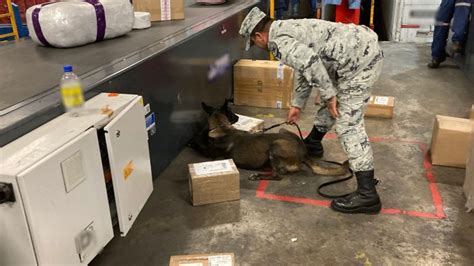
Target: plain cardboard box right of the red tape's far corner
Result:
[[450, 141]]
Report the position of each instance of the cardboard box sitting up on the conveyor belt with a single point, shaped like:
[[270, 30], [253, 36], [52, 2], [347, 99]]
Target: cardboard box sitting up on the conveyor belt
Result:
[[161, 10]]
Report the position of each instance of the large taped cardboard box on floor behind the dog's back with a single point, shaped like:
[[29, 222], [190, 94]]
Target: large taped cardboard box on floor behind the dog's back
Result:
[[262, 83]]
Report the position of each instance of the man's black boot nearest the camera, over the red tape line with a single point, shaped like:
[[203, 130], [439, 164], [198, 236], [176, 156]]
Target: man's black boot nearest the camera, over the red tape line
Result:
[[364, 200]]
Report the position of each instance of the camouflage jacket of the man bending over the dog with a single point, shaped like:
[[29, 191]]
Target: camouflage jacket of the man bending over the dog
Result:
[[324, 53]]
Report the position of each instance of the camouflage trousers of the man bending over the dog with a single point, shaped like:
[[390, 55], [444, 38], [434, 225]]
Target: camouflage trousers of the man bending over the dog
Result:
[[352, 98]]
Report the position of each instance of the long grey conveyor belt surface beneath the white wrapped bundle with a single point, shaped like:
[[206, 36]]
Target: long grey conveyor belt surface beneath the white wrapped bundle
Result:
[[30, 73]]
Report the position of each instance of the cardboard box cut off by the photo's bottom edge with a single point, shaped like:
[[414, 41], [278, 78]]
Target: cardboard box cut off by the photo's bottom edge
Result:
[[220, 259]]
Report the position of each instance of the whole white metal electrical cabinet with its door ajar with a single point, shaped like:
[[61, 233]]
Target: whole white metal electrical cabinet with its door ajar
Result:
[[54, 207]]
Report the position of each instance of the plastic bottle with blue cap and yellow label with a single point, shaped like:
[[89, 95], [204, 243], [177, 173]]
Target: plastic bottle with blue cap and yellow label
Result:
[[71, 91]]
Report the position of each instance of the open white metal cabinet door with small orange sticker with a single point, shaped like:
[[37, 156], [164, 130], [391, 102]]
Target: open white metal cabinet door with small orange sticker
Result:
[[130, 165]]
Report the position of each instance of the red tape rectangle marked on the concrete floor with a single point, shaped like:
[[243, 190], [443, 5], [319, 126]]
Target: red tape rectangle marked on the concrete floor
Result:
[[435, 195]]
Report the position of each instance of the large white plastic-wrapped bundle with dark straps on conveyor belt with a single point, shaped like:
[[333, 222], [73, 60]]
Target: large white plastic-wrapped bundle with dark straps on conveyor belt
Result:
[[73, 23]]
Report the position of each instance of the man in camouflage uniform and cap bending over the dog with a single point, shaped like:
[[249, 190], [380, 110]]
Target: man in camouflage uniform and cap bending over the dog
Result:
[[343, 61]]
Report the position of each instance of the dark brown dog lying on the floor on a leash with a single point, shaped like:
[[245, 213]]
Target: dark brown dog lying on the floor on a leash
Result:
[[284, 151]]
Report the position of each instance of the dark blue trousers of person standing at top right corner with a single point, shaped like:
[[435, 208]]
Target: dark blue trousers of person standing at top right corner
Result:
[[460, 10]]
